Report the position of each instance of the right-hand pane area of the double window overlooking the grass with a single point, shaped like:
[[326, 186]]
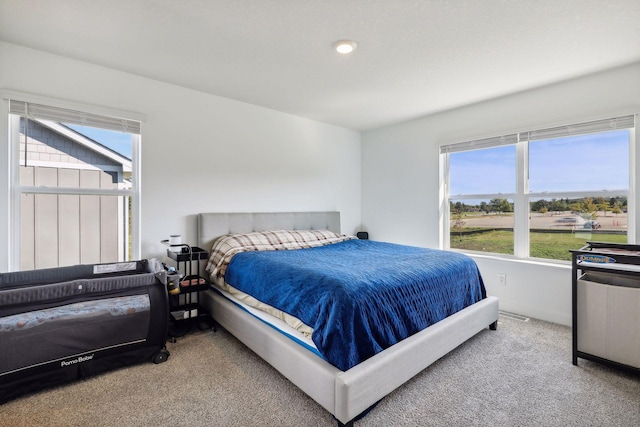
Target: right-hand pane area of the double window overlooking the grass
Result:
[[579, 188]]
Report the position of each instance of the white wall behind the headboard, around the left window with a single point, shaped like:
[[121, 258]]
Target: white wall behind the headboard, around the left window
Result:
[[199, 152]]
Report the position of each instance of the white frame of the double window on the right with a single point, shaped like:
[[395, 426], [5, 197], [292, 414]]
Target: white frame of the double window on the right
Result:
[[522, 197]]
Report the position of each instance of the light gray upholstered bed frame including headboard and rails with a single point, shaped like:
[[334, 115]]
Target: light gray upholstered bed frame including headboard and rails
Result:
[[345, 394]]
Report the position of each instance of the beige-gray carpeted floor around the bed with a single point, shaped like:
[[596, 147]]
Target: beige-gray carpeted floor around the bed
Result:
[[519, 375]]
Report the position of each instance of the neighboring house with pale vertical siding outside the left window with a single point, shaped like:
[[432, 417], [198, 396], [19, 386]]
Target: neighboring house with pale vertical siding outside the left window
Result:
[[63, 229]]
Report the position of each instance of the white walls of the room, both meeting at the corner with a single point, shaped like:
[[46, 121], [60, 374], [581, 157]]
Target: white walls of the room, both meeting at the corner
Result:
[[206, 153]]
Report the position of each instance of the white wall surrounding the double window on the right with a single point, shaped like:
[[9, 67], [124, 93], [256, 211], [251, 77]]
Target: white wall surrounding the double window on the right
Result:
[[400, 176]]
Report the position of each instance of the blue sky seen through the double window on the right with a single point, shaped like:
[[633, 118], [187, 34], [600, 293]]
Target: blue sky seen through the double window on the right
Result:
[[585, 162]]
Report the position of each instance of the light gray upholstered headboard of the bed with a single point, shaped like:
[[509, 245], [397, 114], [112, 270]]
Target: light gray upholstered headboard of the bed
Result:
[[212, 225]]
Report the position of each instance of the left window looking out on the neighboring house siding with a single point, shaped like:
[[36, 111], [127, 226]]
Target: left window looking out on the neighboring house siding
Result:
[[75, 186]]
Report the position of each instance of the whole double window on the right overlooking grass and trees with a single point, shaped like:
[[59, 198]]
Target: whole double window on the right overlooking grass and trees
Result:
[[540, 193]]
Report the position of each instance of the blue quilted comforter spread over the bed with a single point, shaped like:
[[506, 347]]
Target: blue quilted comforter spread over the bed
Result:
[[359, 296]]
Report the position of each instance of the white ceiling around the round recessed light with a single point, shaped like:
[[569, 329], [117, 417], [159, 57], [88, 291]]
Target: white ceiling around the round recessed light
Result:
[[413, 58]]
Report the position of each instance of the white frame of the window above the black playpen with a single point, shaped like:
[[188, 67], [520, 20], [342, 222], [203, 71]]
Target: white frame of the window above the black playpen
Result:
[[15, 189]]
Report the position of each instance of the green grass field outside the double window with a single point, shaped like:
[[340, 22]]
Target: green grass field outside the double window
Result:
[[542, 245]]
